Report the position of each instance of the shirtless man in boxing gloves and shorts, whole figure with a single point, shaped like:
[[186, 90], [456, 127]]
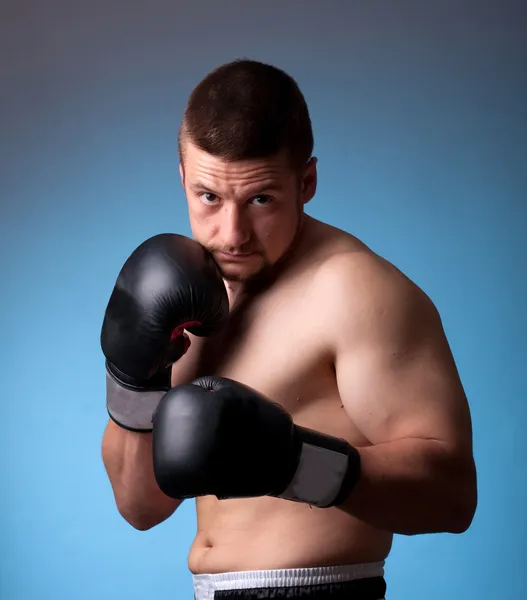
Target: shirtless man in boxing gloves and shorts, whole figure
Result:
[[323, 331]]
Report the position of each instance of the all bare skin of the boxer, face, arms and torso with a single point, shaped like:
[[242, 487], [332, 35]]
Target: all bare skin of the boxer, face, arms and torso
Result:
[[348, 345]]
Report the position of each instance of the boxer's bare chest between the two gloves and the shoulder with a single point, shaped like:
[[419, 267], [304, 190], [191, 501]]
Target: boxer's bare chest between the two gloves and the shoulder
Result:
[[274, 345]]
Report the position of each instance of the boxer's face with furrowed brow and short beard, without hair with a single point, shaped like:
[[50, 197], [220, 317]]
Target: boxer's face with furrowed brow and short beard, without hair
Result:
[[246, 213]]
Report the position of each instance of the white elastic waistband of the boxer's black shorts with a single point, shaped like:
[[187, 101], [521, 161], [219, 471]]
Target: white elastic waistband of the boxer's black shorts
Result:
[[206, 584]]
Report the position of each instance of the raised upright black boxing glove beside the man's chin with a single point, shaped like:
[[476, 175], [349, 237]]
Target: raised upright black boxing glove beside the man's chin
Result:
[[168, 284]]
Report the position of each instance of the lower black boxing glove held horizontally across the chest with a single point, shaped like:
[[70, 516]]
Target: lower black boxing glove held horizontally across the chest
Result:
[[219, 437]]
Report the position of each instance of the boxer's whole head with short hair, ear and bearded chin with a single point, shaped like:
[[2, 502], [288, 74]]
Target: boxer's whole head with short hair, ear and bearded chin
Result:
[[246, 164]]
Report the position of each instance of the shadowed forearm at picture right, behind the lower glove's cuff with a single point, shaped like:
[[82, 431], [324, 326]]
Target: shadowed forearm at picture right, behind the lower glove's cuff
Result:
[[413, 486]]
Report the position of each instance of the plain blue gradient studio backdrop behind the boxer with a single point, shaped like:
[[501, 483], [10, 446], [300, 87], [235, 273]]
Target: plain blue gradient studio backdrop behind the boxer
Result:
[[419, 111]]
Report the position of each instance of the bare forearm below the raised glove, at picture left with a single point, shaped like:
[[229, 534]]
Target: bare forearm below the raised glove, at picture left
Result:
[[127, 457]]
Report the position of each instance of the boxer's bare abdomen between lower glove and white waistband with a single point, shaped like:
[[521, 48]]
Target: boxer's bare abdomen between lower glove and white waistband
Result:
[[270, 533]]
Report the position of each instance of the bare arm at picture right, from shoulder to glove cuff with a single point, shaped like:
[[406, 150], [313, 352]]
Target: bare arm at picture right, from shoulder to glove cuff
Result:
[[400, 386]]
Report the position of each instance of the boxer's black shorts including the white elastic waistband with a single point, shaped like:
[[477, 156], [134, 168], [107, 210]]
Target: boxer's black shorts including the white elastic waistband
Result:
[[346, 582]]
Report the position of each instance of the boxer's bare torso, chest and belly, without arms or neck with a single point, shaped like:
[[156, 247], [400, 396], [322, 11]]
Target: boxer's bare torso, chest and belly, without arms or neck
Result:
[[275, 344]]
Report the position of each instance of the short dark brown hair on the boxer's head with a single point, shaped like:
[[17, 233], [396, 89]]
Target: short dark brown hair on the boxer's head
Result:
[[246, 109]]
